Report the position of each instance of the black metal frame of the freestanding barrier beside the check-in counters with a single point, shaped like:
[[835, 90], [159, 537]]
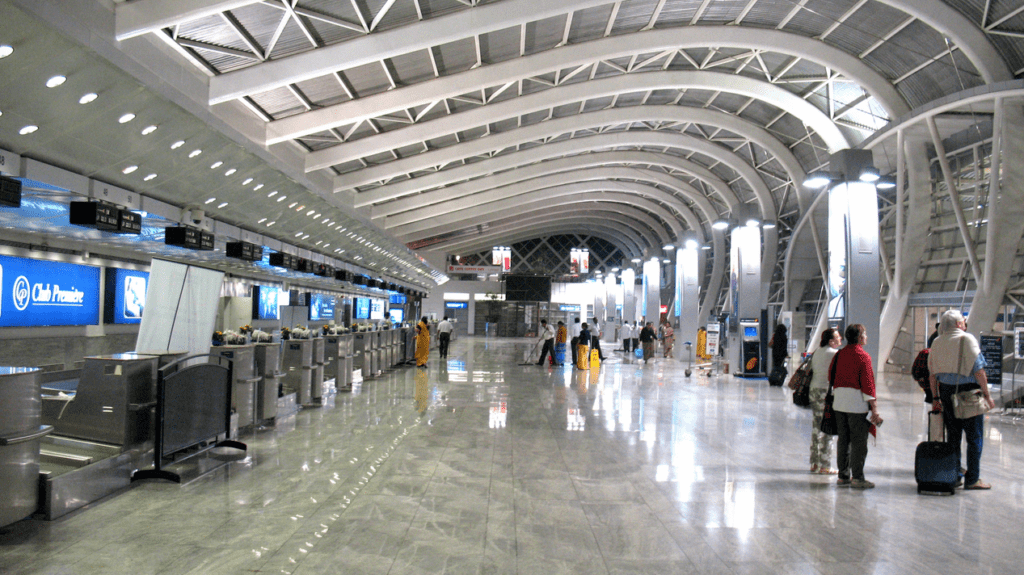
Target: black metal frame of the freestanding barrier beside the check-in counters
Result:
[[170, 373]]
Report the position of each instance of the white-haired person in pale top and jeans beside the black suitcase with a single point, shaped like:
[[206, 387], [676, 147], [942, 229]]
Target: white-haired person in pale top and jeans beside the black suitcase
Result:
[[956, 365]]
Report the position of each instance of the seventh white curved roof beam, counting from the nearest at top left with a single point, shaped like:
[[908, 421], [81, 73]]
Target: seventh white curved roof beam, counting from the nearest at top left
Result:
[[562, 165]]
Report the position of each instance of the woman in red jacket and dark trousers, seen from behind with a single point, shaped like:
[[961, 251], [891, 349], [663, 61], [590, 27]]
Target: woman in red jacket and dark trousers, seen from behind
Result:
[[854, 383]]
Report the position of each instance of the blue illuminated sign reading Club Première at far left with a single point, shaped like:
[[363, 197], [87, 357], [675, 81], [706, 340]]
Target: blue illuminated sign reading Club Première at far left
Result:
[[40, 293]]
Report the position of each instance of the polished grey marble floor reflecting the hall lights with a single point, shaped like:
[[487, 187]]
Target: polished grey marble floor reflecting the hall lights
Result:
[[485, 466]]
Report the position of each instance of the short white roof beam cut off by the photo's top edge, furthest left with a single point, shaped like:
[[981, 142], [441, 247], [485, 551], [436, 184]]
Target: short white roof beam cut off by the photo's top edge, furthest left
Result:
[[142, 17]]
